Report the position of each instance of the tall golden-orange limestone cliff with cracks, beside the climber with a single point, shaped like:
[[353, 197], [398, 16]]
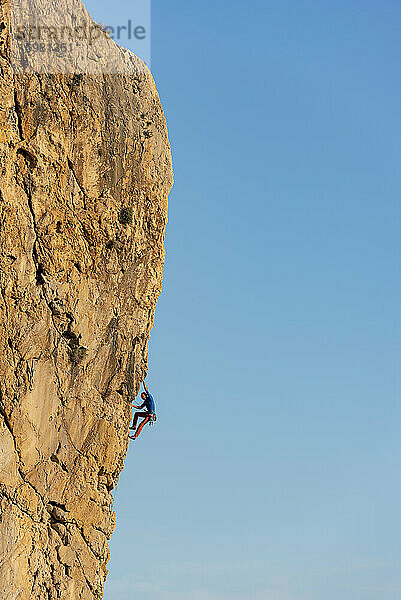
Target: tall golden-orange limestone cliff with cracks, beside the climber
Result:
[[85, 174]]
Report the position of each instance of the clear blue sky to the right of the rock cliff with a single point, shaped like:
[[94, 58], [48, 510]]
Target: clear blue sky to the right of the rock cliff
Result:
[[273, 472]]
